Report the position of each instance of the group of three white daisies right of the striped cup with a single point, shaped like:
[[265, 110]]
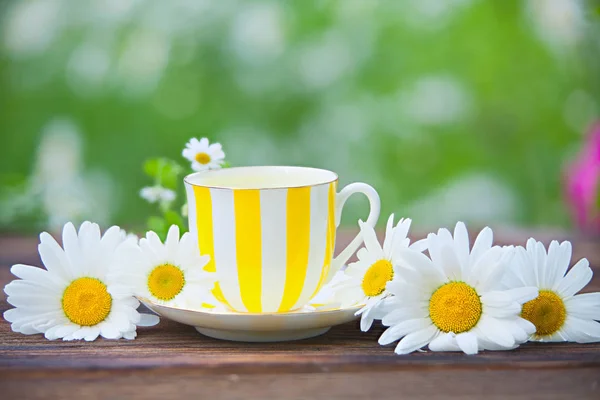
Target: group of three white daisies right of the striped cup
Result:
[[441, 294]]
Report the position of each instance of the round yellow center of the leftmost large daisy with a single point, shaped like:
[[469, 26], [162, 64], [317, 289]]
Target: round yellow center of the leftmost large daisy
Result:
[[86, 301]]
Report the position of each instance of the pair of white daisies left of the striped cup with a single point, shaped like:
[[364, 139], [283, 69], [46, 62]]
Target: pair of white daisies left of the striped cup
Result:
[[89, 285]]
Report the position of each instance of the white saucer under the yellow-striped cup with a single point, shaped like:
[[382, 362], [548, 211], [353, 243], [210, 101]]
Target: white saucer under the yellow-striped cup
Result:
[[257, 327]]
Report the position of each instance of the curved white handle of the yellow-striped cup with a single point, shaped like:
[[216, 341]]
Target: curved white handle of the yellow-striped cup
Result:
[[341, 197]]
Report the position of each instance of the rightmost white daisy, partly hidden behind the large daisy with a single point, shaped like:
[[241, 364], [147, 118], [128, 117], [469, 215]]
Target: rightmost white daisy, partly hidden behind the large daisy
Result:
[[558, 313]]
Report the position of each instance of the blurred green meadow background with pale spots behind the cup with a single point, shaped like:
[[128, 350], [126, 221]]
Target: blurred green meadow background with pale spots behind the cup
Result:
[[455, 109]]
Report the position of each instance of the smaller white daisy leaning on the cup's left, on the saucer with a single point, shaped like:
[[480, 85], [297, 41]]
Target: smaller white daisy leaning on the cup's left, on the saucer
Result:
[[171, 273]]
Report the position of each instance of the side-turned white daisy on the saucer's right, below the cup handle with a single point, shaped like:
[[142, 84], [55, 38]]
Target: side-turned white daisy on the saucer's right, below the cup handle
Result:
[[376, 266]]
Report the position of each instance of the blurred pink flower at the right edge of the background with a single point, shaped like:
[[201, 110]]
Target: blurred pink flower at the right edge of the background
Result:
[[583, 177]]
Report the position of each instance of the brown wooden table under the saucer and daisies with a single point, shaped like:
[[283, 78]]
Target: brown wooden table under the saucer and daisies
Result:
[[173, 361]]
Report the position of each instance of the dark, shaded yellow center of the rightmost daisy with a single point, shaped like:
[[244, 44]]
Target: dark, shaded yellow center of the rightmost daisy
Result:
[[547, 312]]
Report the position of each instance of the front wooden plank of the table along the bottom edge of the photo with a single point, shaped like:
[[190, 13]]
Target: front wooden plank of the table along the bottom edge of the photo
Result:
[[516, 384]]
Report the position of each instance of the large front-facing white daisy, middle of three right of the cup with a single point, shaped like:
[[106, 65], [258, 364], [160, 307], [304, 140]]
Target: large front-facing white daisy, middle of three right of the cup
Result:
[[454, 301]]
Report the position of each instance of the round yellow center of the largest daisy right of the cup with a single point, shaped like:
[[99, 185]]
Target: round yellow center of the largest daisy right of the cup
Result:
[[455, 307]]
